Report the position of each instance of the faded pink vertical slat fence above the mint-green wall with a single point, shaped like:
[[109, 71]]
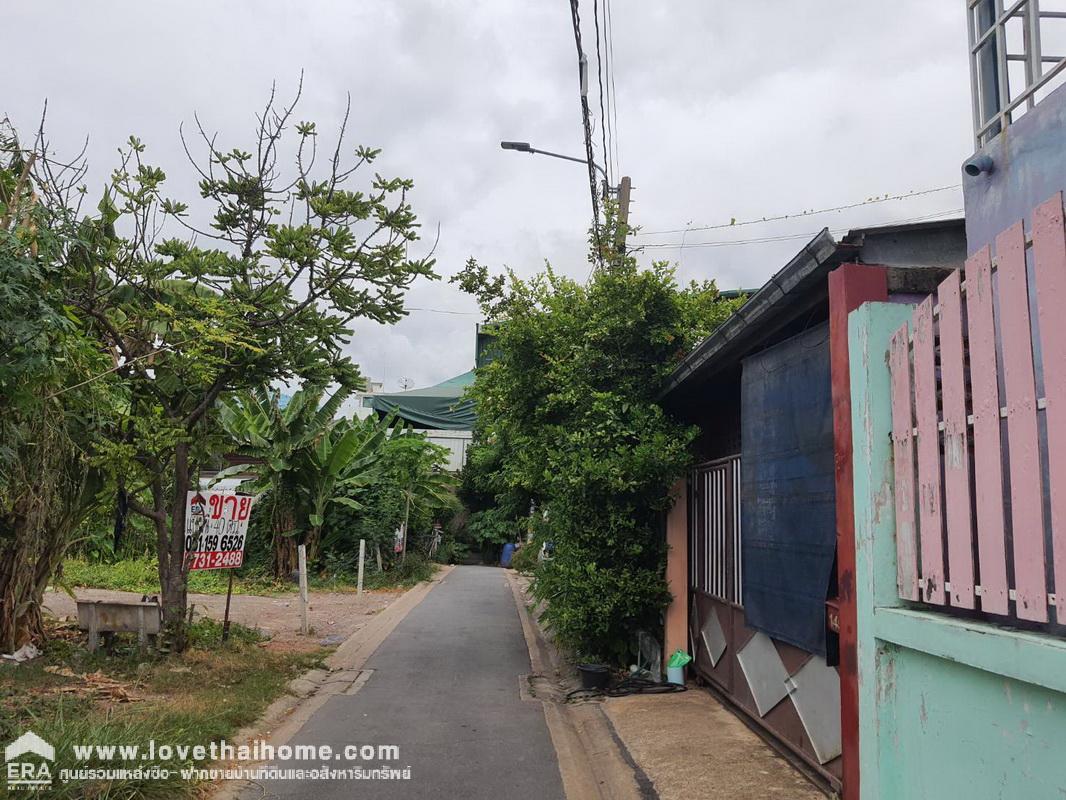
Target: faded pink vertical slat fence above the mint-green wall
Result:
[[979, 431]]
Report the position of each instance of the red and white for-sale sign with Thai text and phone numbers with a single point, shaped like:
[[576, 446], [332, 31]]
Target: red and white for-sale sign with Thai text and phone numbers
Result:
[[217, 525]]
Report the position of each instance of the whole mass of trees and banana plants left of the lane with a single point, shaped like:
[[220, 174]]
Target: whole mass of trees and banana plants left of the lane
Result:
[[146, 341]]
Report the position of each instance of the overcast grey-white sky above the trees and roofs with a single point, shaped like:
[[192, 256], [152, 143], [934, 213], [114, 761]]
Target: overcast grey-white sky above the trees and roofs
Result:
[[725, 111]]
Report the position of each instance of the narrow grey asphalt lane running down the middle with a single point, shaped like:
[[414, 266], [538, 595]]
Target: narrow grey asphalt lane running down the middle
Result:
[[445, 690]]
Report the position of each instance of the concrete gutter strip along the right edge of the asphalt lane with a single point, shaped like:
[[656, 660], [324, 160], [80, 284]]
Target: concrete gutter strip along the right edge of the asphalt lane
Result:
[[593, 761]]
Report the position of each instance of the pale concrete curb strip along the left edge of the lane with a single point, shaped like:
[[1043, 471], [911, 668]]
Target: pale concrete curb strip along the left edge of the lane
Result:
[[344, 675]]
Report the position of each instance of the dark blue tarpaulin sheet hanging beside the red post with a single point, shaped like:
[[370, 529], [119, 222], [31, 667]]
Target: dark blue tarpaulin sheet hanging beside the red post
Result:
[[788, 492]]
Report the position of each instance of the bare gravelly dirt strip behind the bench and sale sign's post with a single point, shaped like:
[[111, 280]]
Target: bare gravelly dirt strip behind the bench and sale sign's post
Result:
[[334, 616]]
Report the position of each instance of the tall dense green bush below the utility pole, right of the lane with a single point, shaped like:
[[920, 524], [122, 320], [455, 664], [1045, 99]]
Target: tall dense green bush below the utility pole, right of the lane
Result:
[[568, 417]]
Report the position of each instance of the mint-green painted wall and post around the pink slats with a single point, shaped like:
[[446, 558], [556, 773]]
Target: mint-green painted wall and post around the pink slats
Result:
[[948, 707]]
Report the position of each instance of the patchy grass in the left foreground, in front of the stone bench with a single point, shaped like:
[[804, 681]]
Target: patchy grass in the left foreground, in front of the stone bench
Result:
[[203, 696]]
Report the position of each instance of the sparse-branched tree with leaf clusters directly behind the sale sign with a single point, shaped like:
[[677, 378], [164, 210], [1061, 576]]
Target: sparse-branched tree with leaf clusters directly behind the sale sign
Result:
[[265, 291]]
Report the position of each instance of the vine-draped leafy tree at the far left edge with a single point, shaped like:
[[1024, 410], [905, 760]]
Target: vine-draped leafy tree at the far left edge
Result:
[[55, 396]]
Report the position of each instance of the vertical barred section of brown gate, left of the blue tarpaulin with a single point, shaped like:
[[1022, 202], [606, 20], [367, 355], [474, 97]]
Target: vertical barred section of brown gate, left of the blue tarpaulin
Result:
[[715, 531]]
